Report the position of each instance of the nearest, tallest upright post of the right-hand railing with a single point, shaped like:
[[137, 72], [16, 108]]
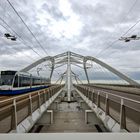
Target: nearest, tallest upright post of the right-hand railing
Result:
[[122, 115]]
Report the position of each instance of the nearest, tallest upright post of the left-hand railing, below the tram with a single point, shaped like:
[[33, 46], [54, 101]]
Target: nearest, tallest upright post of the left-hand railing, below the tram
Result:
[[14, 116]]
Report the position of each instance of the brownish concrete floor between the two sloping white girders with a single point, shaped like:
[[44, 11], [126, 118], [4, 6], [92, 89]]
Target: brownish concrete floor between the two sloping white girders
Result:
[[68, 117]]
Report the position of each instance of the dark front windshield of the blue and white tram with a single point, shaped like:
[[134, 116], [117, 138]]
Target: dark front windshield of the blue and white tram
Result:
[[7, 77]]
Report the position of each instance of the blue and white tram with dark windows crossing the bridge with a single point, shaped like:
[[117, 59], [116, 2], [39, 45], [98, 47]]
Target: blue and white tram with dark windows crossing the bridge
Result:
[[14, 83]]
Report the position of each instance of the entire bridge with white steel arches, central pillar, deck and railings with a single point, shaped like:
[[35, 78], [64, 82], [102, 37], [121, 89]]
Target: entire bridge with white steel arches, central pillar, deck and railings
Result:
[[71, 105]]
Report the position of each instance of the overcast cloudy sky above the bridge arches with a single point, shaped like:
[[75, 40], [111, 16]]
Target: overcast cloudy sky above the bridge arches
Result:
[[87, 27]]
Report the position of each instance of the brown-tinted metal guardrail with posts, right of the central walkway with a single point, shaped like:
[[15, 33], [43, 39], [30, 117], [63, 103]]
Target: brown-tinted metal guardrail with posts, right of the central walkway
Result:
[[126, 111]]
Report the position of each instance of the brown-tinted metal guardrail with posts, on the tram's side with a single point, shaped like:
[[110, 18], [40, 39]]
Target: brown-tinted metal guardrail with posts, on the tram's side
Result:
[[14, 110]]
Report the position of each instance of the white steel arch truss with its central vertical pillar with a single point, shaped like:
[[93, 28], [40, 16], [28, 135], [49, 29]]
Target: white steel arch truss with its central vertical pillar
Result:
[[70, 58]]
